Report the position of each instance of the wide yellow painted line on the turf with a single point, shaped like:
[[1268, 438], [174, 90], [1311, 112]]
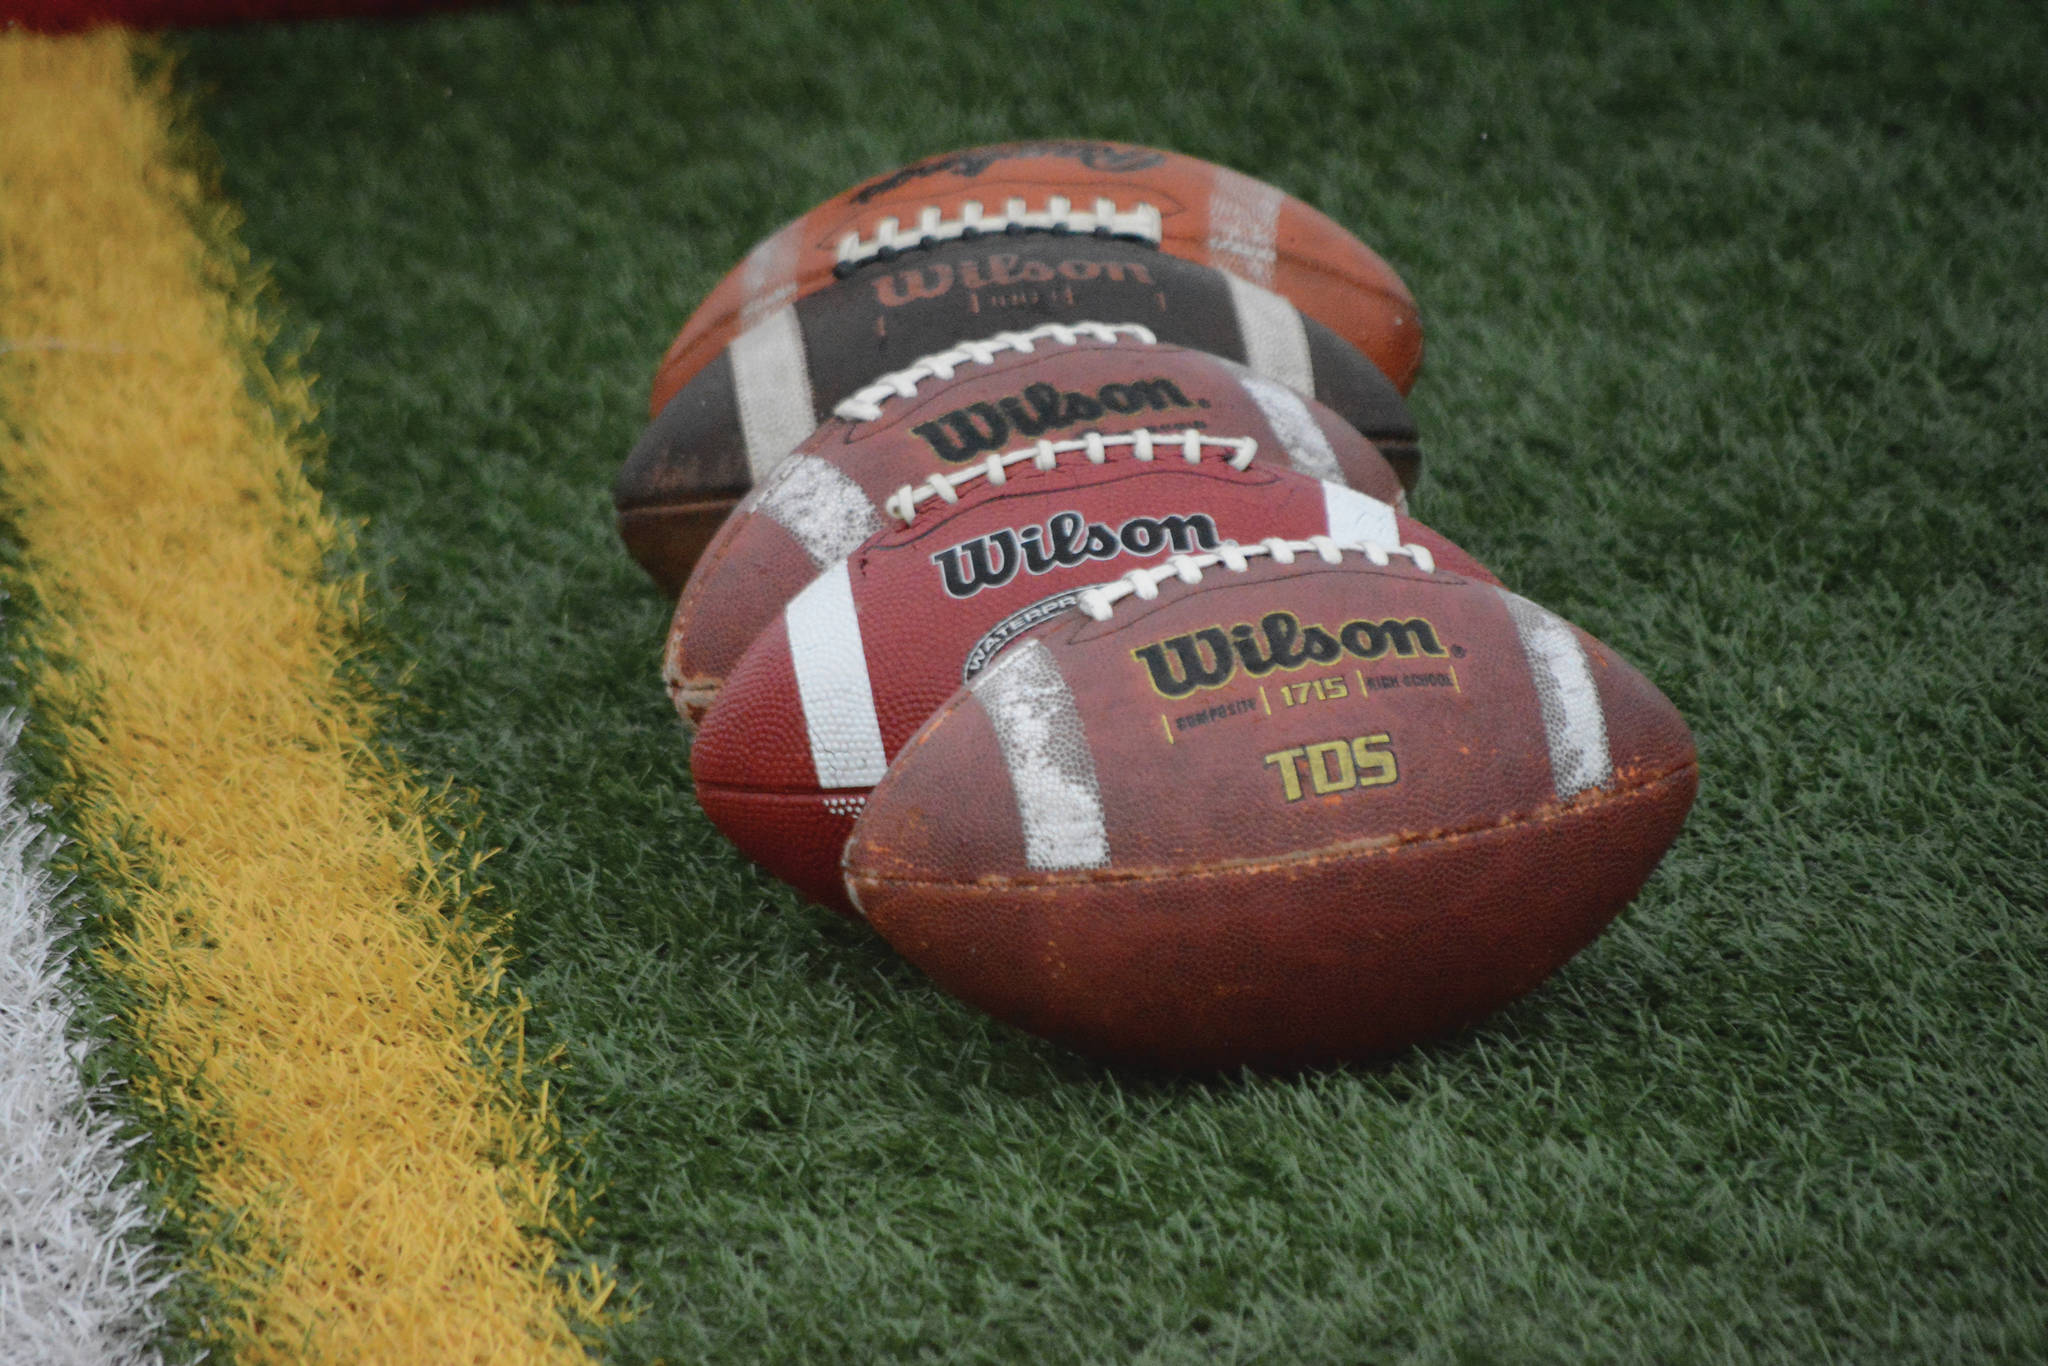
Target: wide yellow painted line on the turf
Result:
[[308, 994]]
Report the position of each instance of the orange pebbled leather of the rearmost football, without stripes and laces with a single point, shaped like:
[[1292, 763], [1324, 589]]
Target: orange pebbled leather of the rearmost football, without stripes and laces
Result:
[[1324, 269]]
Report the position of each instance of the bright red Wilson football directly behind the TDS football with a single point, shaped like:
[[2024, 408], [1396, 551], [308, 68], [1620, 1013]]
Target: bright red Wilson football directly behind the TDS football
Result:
[[830, 691]]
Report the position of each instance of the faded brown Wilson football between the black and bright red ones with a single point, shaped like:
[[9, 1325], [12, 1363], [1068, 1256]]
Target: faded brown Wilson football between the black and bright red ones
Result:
[[959, 407]]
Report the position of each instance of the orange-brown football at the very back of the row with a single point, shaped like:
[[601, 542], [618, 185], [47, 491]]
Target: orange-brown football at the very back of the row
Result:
[[1177, 204]]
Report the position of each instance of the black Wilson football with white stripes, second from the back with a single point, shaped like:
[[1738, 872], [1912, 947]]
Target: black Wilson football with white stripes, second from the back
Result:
[[744, 413]]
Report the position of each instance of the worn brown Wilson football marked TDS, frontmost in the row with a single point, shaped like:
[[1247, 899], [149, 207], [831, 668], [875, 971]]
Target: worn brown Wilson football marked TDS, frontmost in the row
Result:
[[1273, 806]]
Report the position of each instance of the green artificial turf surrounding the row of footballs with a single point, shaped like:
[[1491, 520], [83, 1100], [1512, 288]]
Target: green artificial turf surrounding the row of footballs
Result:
[[1738, 357]]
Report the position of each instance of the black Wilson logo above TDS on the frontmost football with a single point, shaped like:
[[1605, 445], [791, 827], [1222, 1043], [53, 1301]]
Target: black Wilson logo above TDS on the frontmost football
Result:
[[1211, 656]]
